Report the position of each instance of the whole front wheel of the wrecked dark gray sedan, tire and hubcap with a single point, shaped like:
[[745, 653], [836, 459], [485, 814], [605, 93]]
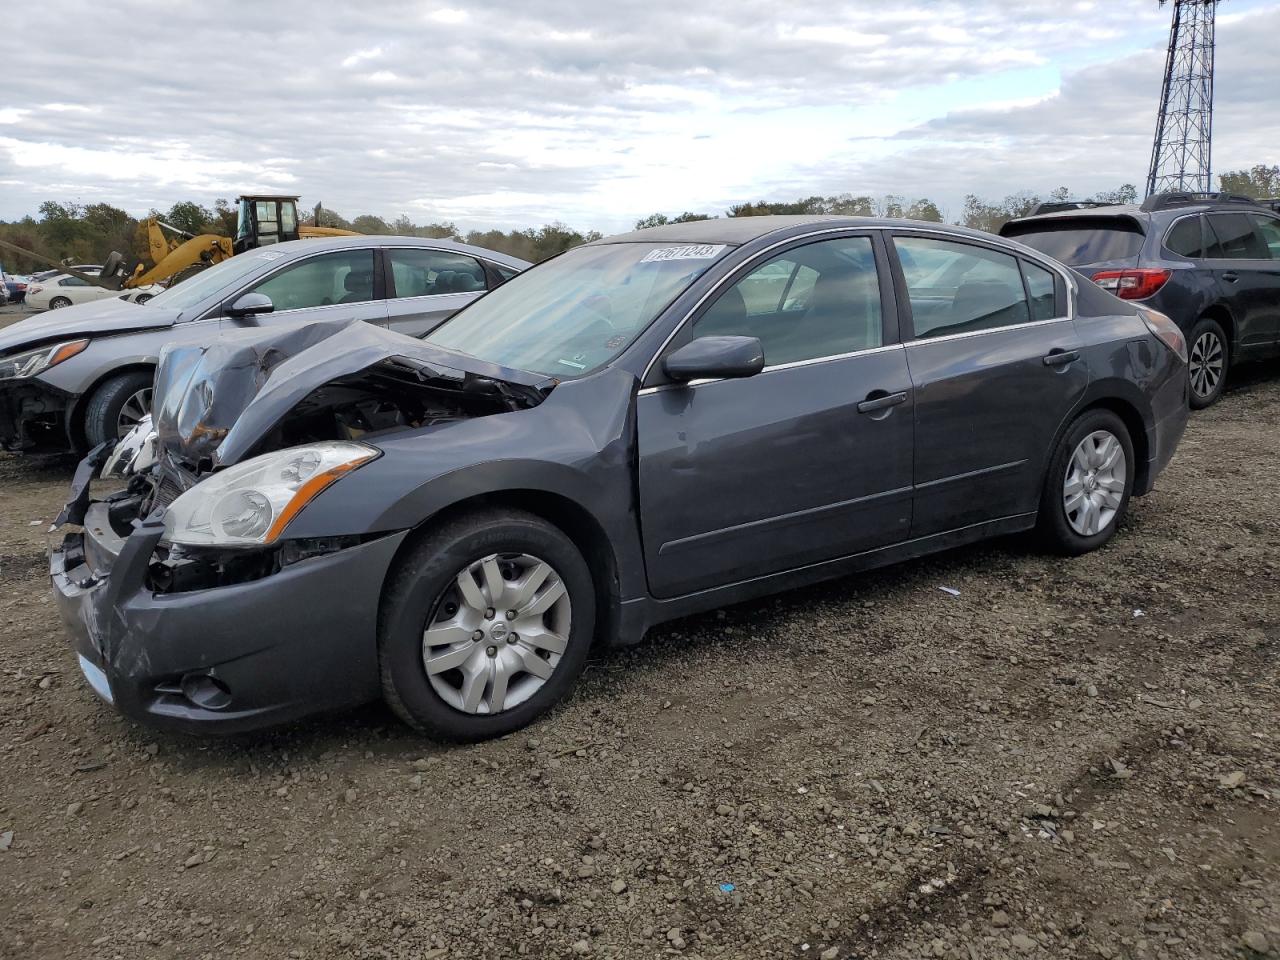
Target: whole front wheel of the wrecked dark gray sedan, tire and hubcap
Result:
[[486, 627]]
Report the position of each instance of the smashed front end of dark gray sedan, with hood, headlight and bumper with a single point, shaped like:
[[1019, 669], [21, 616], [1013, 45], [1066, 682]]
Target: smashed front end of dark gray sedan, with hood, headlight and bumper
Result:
[[194, 607]]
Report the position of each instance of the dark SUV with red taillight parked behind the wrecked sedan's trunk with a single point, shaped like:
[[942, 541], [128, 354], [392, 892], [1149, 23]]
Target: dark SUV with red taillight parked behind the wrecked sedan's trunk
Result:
[[1210, 262]]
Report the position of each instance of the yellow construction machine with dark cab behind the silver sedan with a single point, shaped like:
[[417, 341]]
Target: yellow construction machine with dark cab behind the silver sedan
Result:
[[260, 221]]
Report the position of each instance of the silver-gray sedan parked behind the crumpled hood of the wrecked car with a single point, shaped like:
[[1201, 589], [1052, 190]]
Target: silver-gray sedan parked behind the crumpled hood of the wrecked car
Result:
[[76, 377]]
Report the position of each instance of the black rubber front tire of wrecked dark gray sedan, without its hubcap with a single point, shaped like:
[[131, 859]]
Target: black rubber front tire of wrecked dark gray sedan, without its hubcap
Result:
[[419, 584]]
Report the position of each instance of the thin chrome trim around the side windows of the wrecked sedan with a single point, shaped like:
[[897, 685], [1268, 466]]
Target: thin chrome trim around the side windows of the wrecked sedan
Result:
[[999, 245]]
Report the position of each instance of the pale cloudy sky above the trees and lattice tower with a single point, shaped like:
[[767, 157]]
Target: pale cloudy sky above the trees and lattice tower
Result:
[[515, 115]]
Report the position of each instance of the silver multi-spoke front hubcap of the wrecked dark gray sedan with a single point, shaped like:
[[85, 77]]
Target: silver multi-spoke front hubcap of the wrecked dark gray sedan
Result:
[[497, 633]]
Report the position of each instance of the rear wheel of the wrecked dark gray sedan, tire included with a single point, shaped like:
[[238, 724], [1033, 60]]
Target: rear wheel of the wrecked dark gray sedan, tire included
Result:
[[1089, 484]]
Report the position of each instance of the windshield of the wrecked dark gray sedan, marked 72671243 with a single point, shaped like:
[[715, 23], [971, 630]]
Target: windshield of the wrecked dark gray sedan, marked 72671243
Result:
[[577, 313]]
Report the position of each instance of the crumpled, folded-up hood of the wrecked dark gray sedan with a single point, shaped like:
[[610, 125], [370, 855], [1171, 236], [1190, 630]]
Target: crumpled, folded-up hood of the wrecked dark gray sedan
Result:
[[216, 403]]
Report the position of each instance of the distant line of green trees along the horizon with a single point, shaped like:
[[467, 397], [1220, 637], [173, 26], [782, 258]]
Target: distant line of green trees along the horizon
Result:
[[88, 234]]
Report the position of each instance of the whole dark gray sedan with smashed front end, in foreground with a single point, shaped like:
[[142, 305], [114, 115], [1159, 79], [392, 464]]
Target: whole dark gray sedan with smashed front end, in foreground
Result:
[[643, 428]]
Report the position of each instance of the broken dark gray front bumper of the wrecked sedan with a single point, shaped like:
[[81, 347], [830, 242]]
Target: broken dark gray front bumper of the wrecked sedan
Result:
[[227, 659]]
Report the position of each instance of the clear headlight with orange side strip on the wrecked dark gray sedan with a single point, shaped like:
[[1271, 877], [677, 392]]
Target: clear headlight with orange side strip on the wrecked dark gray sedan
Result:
[[252, 504]]
